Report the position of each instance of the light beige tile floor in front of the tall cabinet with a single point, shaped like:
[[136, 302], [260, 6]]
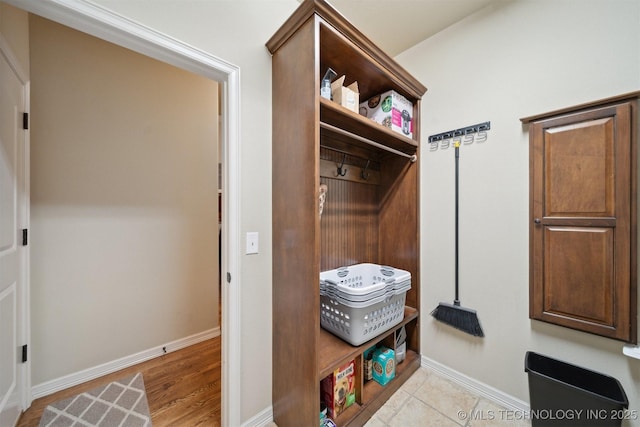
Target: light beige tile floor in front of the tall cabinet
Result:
[[428, 399]]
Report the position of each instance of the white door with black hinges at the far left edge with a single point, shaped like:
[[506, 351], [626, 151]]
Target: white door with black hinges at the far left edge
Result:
[[13, 154]]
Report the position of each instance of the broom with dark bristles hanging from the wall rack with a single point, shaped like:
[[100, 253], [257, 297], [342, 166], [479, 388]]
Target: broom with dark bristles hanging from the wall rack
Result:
[[464, 319]]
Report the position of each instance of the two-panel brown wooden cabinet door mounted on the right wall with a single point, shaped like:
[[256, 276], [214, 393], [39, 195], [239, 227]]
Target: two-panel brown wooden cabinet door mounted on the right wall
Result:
[[581, 241]]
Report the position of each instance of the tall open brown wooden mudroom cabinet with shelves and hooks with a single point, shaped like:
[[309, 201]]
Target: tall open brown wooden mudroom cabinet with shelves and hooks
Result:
[[370, 214]]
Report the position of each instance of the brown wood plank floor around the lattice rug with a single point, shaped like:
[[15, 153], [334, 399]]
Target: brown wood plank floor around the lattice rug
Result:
[[183, 388]]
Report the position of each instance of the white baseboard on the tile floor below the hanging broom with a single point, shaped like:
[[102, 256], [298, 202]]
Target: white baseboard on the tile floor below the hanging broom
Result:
[[507, 401]]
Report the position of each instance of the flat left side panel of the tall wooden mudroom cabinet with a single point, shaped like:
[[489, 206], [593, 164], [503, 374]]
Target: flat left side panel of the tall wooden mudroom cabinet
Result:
[[296, 301]]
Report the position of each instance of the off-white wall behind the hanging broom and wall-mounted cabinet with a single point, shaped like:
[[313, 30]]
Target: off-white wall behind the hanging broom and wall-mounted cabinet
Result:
[[512, 60]]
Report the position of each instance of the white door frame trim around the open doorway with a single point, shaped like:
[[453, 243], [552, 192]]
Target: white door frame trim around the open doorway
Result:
[[98, 22]]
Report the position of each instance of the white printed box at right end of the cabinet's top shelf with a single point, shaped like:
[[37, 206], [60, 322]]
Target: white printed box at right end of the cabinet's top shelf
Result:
[[390, 109]]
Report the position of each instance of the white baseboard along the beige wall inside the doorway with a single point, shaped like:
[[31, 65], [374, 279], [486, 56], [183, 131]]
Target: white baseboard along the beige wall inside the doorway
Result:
[[70, 380]]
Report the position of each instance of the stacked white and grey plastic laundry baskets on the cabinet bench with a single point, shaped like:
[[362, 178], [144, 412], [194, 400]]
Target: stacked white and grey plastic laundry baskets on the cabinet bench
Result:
[[359, 302]]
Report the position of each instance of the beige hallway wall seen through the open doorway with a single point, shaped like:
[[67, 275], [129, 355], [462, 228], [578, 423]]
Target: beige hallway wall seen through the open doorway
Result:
[[124, 247]]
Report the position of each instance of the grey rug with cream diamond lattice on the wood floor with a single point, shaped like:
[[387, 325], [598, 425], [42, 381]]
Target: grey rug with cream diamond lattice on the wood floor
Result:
[[120, 403]]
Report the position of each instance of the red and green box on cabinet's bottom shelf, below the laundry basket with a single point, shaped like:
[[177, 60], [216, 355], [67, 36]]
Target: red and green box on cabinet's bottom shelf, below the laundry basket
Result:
[[338, 390]]
